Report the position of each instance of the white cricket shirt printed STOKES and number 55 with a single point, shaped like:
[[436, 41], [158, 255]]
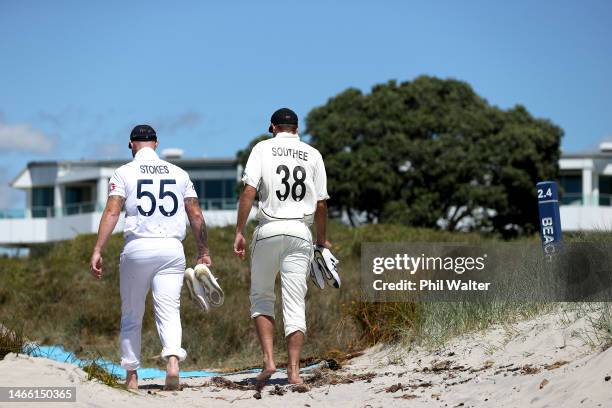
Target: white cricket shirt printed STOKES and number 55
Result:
[[154, 192]]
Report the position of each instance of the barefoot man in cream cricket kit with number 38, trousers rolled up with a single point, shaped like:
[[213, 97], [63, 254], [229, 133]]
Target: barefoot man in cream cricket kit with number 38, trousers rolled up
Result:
[[290, 178]]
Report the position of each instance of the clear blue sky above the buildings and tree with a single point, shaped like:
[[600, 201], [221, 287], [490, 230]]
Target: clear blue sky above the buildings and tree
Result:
[[76, 76]]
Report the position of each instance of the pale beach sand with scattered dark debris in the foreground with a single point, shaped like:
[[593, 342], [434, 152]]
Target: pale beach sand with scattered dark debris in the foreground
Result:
[[539, 363]]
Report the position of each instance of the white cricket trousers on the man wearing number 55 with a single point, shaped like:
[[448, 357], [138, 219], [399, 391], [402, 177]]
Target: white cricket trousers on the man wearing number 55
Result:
[[157, 263]]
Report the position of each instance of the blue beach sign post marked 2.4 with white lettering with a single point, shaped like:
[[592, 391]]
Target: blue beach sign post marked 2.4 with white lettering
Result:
[[550, 220]]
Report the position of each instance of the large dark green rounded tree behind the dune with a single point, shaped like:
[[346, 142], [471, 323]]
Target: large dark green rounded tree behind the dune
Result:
[[431, 152]]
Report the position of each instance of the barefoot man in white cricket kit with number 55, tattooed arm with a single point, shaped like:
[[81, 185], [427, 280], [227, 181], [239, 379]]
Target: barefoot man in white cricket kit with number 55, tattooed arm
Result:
[[157, 197]]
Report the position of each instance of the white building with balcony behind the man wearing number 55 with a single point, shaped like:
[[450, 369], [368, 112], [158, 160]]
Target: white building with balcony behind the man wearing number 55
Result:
[[66, 198]]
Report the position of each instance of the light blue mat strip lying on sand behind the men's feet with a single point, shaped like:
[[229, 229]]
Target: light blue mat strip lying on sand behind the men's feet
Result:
[[58, 353]]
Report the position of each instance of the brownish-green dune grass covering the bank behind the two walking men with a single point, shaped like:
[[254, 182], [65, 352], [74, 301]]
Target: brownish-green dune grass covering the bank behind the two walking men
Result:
[[56, 301]]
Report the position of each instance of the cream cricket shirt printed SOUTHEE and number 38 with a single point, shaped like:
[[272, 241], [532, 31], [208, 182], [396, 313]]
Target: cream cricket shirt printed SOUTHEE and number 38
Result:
[[289, 176]]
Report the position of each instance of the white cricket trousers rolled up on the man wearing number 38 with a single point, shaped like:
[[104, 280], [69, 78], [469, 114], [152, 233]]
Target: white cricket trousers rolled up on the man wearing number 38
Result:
[[284, 246]]
